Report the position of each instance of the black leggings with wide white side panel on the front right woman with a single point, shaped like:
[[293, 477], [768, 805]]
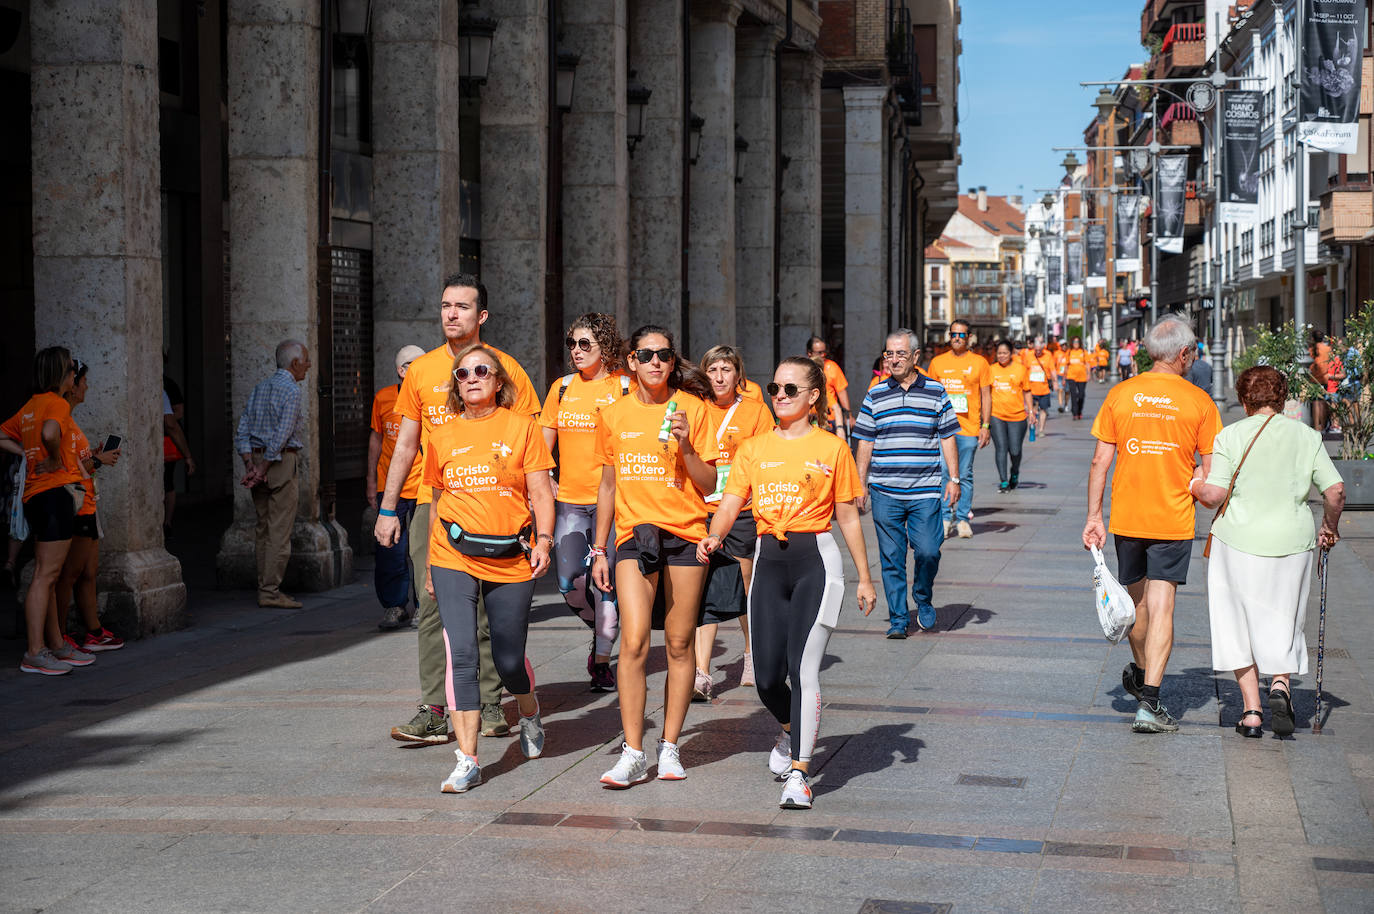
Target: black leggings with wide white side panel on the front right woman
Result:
[[793, 607]]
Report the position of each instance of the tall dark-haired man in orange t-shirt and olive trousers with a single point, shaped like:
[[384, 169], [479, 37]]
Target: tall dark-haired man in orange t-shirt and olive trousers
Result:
[[424, 406]]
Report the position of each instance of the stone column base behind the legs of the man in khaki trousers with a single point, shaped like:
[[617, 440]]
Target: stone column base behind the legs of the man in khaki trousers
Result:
[[321, 559]]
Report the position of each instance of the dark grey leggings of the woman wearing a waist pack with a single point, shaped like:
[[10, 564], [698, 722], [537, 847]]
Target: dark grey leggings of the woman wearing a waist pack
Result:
[[508, 610]]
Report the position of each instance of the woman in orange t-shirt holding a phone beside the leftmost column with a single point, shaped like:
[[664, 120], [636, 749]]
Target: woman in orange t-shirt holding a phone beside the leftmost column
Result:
[[85, 556]]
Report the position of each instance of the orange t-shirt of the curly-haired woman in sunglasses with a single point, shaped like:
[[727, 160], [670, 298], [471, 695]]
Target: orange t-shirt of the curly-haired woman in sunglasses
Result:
[[575, 420]]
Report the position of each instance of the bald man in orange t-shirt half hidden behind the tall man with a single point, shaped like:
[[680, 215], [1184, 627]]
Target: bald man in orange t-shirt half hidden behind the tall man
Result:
[[392, 577]]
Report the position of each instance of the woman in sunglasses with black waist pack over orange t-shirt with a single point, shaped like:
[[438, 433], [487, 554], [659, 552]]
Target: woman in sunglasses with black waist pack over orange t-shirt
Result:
[[487, 469]]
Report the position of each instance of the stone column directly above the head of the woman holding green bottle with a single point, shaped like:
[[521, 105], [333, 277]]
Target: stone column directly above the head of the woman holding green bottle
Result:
[[656, 171]]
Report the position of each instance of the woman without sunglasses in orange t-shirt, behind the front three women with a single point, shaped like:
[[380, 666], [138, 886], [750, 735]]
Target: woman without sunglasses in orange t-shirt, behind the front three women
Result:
[[736, 420]]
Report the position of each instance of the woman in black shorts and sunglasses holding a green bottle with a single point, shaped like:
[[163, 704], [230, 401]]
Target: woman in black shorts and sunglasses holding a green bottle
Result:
[[657, 452]]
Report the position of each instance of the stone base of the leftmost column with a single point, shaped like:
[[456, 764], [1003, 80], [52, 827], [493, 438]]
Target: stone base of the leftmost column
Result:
[[142, 593]]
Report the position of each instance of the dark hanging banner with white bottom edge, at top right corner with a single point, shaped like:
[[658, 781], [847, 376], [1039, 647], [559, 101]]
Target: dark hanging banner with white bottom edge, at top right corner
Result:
[[1329, 98]]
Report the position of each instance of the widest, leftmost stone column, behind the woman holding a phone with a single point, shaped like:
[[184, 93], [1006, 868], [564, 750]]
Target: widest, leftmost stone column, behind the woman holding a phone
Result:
[[98, 276]]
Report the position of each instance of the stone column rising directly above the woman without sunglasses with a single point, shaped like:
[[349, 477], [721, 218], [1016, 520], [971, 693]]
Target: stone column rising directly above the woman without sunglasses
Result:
[[711, 273]]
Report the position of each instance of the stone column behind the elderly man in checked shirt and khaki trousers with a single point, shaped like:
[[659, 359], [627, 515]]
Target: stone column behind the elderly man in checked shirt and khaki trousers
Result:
[[274, 183]]
